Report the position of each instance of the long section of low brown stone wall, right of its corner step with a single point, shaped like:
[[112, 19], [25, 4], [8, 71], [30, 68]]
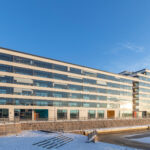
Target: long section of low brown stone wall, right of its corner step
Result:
[[82, 125]]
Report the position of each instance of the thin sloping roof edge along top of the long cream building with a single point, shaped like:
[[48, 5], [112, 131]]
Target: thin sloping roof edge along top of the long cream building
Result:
[[62, 61]]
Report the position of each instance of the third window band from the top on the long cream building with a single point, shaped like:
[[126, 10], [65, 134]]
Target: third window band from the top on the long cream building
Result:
[[39, 83]]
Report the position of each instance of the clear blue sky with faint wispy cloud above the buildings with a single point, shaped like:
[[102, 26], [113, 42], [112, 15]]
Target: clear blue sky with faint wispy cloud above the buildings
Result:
[[110, 35]]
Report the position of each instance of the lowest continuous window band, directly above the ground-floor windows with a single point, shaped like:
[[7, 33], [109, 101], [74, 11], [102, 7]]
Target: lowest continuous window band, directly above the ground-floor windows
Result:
[[27, 102]]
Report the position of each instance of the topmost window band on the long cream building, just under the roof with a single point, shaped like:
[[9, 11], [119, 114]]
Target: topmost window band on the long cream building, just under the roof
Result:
[[36, 63]]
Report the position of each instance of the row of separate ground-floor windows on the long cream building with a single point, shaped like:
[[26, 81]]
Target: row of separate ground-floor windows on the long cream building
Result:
[[61, 114]]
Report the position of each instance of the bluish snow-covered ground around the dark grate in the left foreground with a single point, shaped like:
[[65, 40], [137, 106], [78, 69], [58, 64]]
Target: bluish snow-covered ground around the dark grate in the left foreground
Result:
[[25, 140]]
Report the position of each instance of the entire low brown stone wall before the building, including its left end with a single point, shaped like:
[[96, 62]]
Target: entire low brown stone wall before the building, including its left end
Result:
[[70, 125]]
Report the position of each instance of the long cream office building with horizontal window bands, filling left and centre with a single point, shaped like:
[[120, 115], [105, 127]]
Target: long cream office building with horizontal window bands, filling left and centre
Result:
[[36, 88]]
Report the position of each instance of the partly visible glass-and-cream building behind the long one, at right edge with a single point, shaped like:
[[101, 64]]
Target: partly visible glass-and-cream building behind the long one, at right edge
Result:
[[141, 93]]
